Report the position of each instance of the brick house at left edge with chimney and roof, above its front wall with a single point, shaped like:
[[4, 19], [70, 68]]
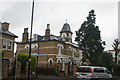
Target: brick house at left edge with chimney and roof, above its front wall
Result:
[[8, 40]]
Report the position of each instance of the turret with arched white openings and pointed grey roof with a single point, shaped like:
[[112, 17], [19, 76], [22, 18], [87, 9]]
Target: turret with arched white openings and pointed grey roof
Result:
[[66, 33]]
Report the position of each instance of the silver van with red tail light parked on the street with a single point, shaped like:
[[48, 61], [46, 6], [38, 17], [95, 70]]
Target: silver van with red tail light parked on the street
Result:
[[92, 72]]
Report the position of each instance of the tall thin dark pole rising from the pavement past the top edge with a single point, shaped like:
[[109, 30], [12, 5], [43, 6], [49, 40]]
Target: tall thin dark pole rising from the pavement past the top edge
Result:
[[29, 61]]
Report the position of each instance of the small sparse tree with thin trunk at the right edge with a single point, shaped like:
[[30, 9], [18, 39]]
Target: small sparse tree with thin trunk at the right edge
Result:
[[116, 48]]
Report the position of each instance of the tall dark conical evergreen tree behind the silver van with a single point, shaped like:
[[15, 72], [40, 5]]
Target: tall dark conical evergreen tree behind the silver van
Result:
[[89, 39]]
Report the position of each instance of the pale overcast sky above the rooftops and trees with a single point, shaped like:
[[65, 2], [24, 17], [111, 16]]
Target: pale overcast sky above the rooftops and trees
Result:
[[55, 13]]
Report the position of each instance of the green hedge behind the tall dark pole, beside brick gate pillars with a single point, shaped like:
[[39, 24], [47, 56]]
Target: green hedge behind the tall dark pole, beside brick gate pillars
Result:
[[24, 57]]
